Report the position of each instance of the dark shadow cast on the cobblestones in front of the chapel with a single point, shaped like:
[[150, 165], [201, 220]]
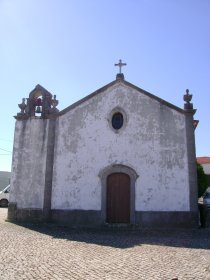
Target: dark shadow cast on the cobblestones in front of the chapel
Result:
[[126, 238]]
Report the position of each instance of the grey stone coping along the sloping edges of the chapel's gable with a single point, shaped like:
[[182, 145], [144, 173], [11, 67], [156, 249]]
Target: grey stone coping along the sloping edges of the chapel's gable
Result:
[[162, 101]]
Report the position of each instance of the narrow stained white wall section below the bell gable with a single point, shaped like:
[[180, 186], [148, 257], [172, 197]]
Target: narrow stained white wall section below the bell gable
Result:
[[29, 163]]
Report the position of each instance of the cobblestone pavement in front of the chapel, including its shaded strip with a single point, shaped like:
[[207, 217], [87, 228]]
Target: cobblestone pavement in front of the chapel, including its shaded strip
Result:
[[53, 252]]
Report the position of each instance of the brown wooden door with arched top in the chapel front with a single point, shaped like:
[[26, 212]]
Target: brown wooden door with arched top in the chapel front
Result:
[[118, 198]]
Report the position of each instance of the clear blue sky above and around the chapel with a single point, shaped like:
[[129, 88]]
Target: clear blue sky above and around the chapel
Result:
[[70, 47]]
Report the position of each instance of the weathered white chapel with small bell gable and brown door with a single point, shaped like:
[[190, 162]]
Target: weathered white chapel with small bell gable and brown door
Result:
[[119, 155]]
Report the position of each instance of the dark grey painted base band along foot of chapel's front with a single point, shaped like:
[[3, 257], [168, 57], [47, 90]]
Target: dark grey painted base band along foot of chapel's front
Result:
[[92, 218]]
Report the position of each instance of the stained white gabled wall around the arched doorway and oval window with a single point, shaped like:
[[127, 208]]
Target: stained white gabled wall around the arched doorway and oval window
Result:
[[152, 142]]
